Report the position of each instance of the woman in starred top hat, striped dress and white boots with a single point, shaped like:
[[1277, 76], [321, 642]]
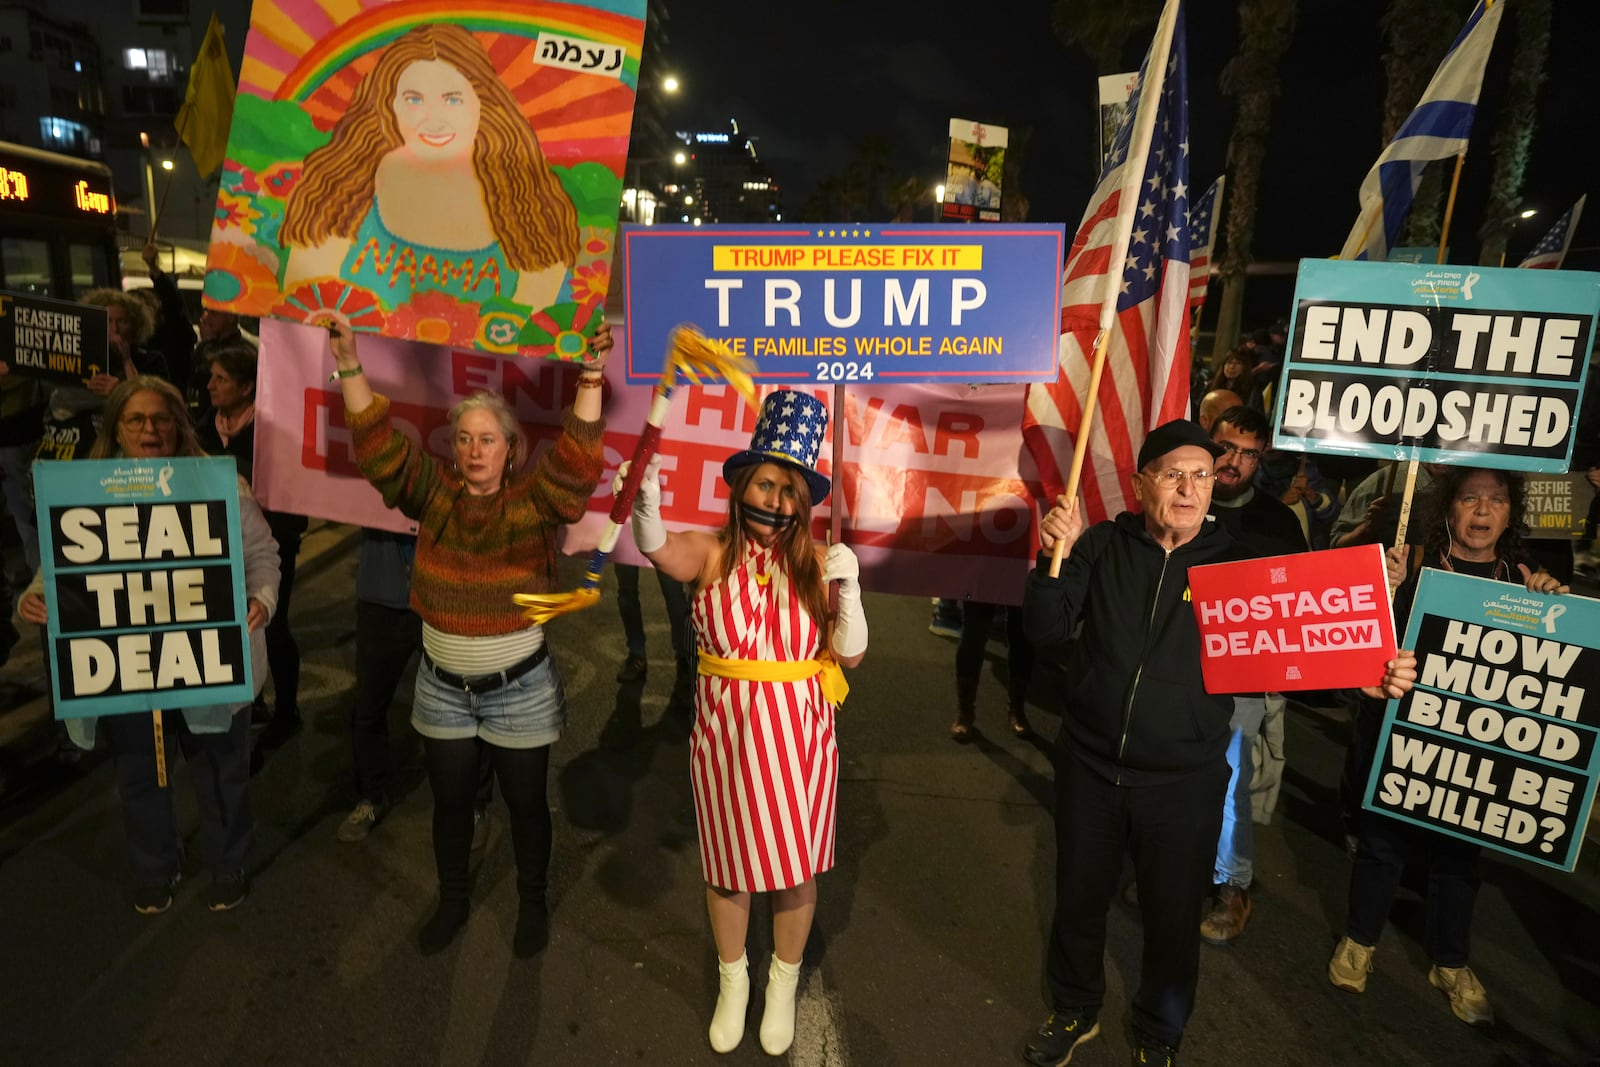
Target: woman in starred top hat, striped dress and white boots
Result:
[[764, 759]]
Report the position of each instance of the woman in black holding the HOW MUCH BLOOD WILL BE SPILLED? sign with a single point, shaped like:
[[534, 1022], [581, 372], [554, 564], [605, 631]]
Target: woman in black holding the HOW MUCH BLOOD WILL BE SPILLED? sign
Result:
[[1473, 526]]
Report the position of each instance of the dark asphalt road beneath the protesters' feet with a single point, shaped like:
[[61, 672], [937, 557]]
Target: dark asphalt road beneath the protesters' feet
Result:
[[929, 935]]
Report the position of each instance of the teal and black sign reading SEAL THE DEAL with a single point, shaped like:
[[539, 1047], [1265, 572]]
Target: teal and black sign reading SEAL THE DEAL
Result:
[[145, 580]]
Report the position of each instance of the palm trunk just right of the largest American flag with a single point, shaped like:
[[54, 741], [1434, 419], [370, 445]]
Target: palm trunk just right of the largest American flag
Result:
[[1252, 76]]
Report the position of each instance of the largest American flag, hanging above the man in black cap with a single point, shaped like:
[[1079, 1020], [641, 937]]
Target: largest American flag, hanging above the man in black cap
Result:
[[1127, 273]]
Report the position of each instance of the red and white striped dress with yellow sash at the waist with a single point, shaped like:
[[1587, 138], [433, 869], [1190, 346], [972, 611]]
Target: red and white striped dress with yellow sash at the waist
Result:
[[764, 759]]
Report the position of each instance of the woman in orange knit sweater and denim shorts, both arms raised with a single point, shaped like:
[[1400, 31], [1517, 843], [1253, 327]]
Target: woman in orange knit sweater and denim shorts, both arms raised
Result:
[[486, 532]]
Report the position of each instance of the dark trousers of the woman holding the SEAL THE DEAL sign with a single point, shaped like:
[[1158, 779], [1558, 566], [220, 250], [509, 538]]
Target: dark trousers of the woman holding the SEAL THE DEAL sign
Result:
[[220, 770]]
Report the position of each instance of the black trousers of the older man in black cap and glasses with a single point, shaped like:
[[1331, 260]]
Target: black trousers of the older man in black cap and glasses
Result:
[[1170, 831]]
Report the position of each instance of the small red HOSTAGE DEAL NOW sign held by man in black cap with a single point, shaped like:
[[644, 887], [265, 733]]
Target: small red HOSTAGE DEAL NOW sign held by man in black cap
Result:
[[1305, 621]]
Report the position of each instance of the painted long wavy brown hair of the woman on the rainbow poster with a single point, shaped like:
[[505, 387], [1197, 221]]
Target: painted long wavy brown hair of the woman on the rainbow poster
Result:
[[532, 215]]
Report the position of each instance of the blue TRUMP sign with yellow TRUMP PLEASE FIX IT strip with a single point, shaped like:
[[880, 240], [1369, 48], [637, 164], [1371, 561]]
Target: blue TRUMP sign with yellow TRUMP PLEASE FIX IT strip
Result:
[[852, 303]]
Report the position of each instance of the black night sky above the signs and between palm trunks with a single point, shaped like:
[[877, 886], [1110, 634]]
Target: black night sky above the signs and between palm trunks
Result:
[[810, 81]]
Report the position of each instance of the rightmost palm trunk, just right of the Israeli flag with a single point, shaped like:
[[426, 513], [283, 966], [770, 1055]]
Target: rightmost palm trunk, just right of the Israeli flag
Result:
[[1518, 121]]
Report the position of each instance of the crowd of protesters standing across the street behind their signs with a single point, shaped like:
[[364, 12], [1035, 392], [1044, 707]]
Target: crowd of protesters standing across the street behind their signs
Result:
[[1150, 765]]
